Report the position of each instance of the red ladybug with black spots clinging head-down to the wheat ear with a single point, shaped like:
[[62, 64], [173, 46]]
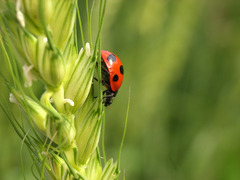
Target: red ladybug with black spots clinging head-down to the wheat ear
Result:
[[112, 75]]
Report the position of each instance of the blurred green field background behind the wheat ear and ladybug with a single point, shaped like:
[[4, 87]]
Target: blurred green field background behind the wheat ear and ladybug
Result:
[[182, 63]]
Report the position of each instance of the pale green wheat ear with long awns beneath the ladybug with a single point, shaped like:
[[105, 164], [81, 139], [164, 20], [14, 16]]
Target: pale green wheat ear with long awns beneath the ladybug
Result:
[[40, 43]]
